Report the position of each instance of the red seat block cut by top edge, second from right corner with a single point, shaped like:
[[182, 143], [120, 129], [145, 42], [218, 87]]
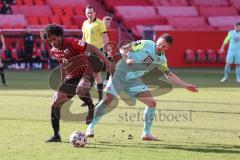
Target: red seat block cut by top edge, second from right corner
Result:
[[210, 3]]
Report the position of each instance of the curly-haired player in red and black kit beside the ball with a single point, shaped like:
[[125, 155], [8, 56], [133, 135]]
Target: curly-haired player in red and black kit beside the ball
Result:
[[78, 74]]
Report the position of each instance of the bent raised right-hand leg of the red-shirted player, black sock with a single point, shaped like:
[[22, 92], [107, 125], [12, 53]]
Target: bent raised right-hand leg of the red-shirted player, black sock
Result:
[[82, 91]]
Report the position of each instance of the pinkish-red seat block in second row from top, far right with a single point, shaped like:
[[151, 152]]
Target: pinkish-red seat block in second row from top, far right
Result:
[[218, 11]]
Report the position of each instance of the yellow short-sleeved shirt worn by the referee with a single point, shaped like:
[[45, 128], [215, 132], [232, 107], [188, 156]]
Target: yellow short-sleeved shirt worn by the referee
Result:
[[93, 32]]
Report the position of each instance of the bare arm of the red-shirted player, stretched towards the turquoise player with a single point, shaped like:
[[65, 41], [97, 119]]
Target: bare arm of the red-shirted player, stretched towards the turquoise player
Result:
[[92, 49]]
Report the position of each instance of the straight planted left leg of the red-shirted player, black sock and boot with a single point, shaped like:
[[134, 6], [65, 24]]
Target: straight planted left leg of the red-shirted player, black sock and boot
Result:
[[59, 99]]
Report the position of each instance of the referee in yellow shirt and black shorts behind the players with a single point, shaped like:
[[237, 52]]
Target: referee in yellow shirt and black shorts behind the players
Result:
[[95, 33]]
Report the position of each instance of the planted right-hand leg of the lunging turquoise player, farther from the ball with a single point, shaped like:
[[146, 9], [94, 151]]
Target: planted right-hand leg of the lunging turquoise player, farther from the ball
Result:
[[148, 100]]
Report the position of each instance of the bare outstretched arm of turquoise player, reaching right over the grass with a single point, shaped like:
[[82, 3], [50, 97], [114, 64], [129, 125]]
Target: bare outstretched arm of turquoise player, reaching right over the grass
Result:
[[177, 81]]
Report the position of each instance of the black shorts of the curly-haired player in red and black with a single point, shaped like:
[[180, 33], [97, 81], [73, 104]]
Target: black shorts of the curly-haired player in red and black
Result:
[[69, 86]]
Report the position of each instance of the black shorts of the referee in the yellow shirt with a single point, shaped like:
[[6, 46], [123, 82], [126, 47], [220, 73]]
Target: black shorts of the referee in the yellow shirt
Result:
[[96, 63]]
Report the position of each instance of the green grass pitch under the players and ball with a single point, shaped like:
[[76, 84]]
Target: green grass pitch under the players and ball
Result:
[[204, 125]]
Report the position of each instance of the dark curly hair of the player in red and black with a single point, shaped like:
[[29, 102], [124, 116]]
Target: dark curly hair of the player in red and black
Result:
[[51, 29]]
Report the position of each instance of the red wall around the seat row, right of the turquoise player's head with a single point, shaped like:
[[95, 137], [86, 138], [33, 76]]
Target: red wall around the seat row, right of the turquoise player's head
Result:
[[193, 40]]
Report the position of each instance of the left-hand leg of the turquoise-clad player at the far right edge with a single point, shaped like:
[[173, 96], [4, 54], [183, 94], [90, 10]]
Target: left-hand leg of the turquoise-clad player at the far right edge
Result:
[[227, 69]]
